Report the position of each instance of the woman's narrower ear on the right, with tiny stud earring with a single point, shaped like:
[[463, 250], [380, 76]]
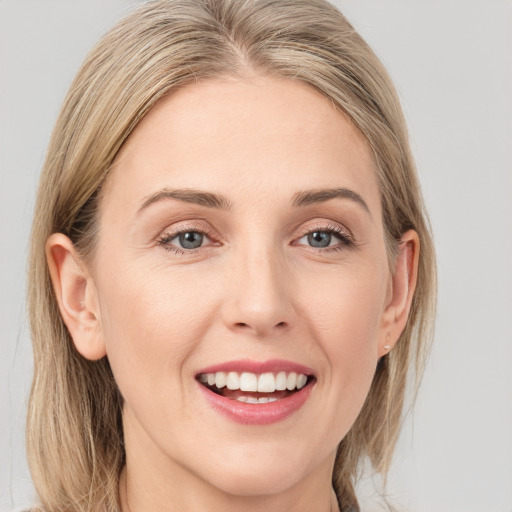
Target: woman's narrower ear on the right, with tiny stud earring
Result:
[[400, 292]]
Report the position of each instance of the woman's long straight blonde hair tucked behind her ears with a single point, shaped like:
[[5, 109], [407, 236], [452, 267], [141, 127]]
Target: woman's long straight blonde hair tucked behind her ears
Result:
[[74, 430]]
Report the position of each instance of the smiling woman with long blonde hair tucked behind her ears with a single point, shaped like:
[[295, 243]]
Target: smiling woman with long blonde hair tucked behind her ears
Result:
[[231, 269]]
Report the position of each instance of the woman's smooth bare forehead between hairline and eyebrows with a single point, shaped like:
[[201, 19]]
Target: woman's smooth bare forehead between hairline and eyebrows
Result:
[[236, 136]]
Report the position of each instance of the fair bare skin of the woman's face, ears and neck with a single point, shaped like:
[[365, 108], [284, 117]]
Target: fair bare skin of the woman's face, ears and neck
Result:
[[256, 289]]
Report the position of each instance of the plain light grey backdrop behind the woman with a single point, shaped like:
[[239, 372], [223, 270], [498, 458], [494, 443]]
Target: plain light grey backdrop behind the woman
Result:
[[451, 62]]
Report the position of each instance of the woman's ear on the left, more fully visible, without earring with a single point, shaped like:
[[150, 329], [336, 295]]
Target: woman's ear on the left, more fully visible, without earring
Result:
[[76, 296]]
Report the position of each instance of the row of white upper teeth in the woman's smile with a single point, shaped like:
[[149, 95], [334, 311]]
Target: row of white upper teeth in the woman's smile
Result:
[[264, 382]]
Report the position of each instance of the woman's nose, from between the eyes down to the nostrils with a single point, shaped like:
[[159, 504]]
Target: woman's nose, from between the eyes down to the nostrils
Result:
[[258, 299]]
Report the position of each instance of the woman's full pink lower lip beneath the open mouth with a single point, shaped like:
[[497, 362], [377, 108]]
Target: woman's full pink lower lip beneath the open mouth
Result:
[[257, 414]]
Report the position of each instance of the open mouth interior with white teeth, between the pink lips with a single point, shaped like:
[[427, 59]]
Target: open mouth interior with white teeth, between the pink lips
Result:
[[254, 388]]
